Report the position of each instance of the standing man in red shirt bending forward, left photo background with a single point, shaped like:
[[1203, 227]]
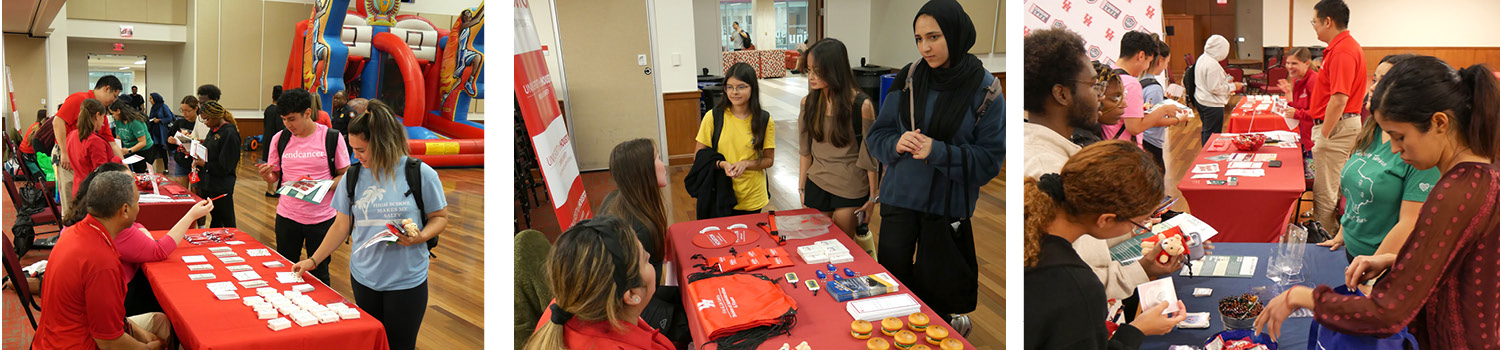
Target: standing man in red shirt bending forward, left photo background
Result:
[[106, 91]]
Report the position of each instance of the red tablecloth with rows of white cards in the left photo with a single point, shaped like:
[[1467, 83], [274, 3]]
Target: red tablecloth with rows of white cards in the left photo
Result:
[[200, 321]]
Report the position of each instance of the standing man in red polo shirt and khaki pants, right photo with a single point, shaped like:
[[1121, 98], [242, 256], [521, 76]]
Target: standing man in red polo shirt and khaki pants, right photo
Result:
[[1337, 98]]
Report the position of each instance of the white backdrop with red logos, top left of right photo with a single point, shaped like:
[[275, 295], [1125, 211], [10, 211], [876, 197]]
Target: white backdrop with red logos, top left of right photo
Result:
[[1102, 23]]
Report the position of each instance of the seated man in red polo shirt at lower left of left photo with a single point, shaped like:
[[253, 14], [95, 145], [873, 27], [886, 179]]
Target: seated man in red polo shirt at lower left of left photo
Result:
[[85, 295]]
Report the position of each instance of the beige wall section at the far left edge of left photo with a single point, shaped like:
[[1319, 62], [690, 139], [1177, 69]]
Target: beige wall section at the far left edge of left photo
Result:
[[28, 62]]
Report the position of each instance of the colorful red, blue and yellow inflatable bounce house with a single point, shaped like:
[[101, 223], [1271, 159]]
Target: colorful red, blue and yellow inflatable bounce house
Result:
[[428, 74]]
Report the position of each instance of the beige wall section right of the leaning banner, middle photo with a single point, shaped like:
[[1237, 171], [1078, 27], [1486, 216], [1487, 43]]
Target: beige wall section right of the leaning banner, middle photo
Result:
[[611, 98]]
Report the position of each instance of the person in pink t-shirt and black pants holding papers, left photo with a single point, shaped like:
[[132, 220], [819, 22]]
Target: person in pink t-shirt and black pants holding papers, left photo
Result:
[[302, 225]]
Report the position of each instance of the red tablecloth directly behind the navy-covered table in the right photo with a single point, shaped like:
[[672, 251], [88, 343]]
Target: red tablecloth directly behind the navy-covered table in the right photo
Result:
[[1255, 211]]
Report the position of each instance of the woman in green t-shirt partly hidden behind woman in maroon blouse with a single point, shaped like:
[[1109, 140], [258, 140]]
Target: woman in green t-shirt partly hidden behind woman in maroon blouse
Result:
[[1382, 193]]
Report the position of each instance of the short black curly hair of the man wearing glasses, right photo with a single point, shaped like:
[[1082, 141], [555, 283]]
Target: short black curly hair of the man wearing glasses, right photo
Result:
[[1052, 58]]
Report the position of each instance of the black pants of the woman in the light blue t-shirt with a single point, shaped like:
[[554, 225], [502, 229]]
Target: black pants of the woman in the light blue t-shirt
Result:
[[400, 310]]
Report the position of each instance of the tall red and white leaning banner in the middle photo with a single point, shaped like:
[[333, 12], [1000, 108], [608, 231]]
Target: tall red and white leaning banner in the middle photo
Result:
[[539, 109]]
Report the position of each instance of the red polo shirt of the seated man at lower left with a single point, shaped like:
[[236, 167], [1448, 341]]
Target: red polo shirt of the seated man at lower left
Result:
[[85, 295]]
